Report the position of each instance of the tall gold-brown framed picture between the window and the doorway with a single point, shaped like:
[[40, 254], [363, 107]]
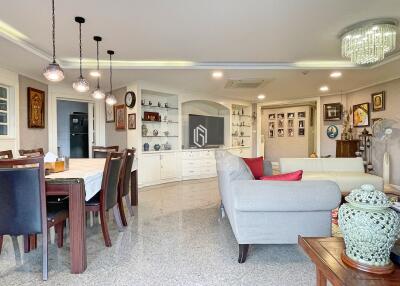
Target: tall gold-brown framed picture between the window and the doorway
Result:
[[36, 108]]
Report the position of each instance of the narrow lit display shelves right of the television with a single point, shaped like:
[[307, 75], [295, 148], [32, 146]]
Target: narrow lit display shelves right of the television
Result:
[[241, 125]]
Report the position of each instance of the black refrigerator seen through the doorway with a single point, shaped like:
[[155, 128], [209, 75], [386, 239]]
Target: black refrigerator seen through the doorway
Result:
[[79, 137]]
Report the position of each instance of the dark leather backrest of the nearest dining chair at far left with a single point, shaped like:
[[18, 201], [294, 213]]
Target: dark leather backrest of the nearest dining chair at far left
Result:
[[22, 196]]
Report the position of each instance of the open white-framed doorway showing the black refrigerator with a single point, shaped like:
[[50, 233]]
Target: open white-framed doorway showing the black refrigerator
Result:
[[74, 128]]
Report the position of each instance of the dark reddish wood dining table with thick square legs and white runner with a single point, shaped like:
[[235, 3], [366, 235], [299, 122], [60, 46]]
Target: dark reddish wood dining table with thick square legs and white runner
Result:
[[80, 183]]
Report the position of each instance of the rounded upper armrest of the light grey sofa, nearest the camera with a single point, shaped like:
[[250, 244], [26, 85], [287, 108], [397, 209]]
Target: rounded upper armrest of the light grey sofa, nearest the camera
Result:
[[283, 196]]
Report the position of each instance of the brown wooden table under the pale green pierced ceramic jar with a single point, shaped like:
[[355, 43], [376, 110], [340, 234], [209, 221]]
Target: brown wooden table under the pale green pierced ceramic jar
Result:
[[325, 253]]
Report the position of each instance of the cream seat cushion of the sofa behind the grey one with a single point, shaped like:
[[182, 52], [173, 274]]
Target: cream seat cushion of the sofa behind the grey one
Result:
[[347, 181]]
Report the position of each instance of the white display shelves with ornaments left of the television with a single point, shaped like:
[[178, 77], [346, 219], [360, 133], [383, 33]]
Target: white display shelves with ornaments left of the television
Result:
[[160, 114]]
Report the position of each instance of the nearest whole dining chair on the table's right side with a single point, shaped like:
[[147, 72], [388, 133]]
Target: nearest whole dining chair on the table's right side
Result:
[[107, 197]]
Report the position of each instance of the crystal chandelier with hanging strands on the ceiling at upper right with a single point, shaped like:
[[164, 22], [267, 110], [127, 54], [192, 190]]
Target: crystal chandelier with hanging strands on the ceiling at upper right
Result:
[[368, 42]]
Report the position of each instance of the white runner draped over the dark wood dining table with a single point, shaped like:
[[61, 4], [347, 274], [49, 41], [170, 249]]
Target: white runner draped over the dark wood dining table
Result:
[[90, 170]]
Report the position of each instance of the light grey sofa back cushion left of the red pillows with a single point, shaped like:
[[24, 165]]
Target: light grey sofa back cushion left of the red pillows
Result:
[[231, 167]]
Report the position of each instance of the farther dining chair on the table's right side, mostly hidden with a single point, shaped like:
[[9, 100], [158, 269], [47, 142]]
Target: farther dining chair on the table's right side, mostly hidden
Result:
[[123, 186]]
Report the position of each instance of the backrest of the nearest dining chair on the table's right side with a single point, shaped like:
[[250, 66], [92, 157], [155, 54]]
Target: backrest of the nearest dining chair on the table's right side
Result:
[[111, 175]]
